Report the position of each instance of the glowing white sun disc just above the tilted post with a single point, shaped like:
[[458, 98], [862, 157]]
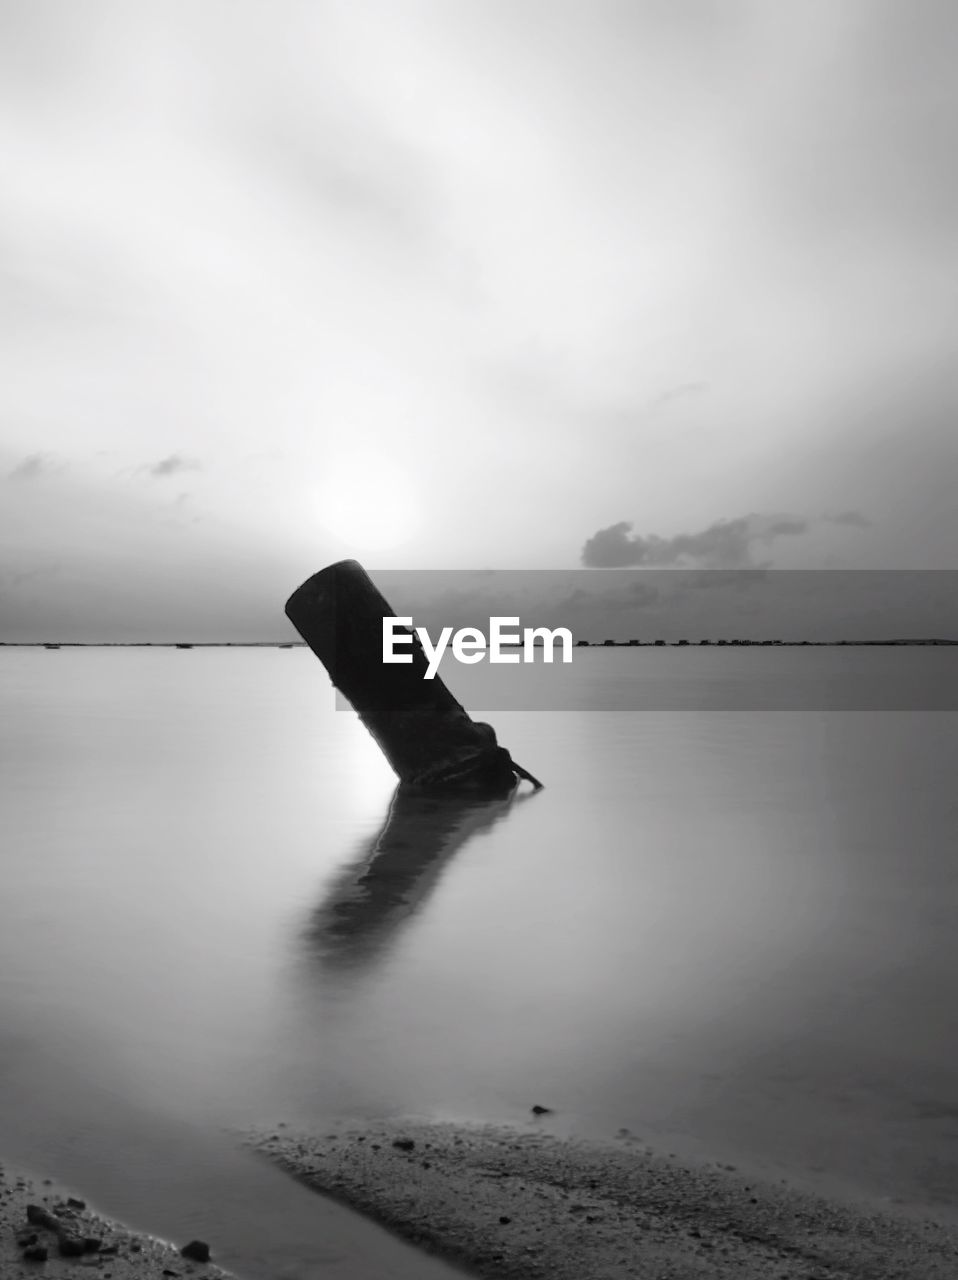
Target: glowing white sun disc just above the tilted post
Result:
[[368, 502]]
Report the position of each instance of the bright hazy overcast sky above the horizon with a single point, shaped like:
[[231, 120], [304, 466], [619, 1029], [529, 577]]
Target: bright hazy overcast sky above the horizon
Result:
[[467, 285]]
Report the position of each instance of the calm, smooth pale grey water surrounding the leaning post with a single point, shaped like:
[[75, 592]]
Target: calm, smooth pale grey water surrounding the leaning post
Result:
[[731, 932]]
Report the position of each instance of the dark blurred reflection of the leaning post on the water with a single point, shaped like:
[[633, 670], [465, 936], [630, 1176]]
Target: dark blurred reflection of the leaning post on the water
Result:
[[395, 871]]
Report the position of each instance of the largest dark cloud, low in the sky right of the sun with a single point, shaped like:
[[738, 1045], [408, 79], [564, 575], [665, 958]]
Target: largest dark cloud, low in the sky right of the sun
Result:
[[726, 545]]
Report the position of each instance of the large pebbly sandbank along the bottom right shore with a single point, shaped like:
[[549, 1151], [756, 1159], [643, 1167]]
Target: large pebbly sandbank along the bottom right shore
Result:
[[517, 1205]]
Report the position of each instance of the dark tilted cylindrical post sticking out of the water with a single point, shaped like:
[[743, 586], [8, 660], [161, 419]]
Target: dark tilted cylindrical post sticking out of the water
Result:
[[426, 735]]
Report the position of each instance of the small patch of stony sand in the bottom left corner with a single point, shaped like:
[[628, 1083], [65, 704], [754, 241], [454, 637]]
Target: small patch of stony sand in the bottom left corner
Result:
[[40, 1218]]
